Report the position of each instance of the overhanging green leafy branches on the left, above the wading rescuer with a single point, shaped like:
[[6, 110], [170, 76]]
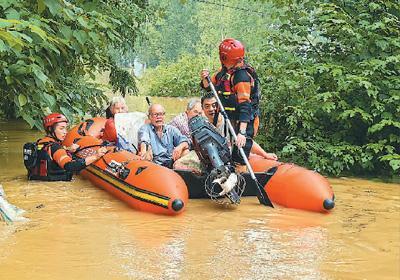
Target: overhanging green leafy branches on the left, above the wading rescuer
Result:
[[50, 50]]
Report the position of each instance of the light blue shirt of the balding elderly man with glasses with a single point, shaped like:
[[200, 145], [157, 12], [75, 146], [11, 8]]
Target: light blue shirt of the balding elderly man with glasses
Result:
[[162, 147]]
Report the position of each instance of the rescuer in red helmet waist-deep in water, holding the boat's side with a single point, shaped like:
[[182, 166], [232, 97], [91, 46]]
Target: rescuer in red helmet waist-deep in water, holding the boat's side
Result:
[[48, 160]]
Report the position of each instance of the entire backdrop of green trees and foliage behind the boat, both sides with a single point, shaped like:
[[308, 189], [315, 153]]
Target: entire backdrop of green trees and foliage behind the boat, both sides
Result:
[[329, 69]]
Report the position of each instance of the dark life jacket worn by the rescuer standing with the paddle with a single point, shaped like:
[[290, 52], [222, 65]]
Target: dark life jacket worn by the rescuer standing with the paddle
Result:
[[225, 87]]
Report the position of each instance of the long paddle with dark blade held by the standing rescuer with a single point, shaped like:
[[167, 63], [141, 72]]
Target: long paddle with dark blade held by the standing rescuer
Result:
[[261, 195]]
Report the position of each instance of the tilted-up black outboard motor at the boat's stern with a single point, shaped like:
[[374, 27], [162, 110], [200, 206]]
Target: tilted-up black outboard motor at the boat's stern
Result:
[[213, 151]]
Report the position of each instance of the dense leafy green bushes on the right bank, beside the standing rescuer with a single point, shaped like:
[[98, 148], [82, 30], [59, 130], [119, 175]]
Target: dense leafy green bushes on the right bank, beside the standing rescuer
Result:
[[331, 71]]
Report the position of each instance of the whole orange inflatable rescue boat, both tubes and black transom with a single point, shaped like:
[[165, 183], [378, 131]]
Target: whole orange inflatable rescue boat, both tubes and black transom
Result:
[[148, 187]]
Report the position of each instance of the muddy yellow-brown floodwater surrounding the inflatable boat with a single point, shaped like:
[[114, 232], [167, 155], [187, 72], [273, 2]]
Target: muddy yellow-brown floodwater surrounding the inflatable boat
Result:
[[78, 231]]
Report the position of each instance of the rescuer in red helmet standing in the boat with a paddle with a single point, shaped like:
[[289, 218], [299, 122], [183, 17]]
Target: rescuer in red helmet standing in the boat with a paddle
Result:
[[238, 87]]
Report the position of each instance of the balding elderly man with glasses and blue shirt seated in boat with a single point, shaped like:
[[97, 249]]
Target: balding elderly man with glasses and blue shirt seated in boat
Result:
[[160, 142]]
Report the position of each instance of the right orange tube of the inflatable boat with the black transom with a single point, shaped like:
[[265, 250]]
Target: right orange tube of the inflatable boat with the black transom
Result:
[[286, 184]]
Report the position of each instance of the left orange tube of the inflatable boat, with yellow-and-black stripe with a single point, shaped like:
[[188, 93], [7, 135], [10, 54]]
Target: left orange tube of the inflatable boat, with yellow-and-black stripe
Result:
[[143, 185]]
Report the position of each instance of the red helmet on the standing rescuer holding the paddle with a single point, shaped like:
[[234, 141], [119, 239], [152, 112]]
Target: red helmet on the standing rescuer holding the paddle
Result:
[[231, 51]]
